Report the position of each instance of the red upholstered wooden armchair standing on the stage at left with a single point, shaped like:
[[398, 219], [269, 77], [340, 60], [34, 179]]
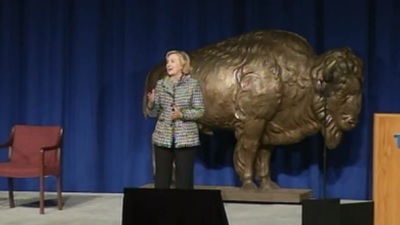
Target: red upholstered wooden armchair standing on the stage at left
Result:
[[34, 152]]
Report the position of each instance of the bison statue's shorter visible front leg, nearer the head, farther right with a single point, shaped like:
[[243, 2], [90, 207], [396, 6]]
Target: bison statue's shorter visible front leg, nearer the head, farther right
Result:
[[263, 169]]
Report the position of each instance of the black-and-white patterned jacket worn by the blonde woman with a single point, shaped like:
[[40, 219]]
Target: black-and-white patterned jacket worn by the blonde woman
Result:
[[188, 97]]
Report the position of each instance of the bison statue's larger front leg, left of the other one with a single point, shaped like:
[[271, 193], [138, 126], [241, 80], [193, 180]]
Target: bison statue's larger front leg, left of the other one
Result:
[[248, 140]]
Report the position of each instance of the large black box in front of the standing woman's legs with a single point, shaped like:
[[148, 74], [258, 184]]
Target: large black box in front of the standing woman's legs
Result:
[[147, 206]]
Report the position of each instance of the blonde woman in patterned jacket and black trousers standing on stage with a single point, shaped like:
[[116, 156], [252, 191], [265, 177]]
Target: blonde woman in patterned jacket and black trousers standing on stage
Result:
[[177, 101]]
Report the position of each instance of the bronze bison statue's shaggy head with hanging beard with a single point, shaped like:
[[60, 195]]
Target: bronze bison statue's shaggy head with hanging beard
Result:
[[339, 80]]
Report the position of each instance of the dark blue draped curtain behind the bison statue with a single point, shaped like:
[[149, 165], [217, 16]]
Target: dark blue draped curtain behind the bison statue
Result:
[[82, 64]]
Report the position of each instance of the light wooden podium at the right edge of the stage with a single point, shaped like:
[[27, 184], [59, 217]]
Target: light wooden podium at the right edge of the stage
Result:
[[386, 169]]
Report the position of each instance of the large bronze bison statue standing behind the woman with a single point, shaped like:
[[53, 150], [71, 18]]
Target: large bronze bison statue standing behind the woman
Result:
[[271, 89]]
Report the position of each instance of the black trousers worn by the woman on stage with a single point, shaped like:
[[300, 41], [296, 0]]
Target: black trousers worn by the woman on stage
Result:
[[184, 166]]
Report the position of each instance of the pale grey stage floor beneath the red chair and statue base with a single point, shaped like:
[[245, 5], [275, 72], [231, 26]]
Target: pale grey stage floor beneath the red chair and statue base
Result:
[[88, 208]]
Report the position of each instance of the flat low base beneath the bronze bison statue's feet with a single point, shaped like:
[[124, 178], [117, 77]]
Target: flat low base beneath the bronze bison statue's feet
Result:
[[236, 194]]
